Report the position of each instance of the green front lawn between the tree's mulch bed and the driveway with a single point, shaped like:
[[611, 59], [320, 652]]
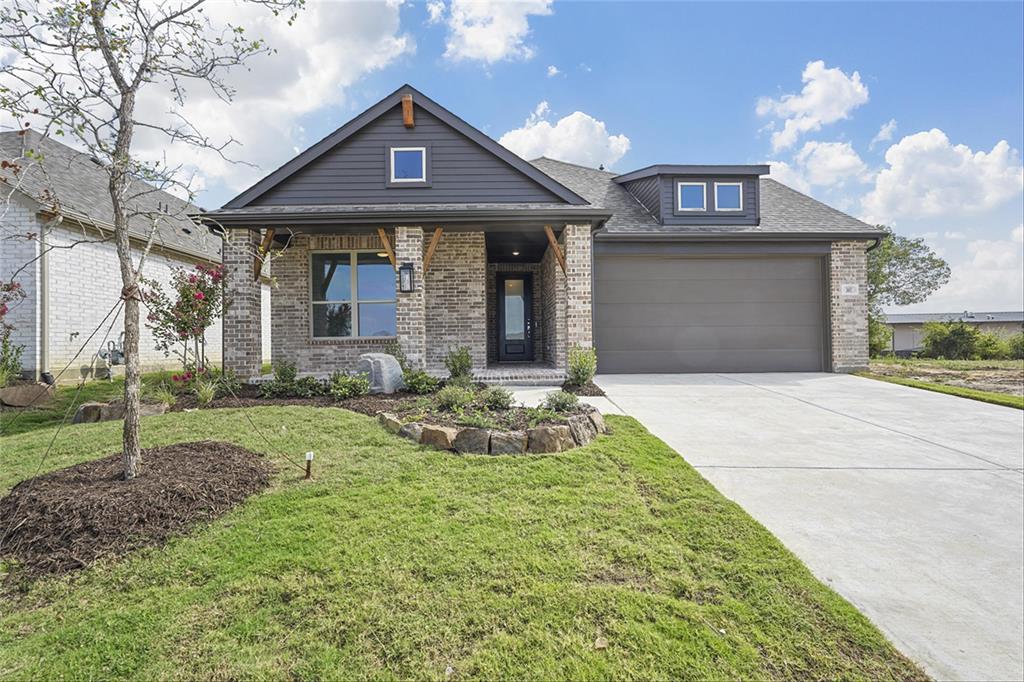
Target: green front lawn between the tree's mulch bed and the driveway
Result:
[[400, 563]]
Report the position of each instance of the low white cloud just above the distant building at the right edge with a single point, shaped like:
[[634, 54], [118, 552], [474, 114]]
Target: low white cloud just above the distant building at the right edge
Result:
[[991, 279]]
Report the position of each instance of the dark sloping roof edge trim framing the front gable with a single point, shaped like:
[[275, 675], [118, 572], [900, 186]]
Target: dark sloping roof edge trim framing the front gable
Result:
[[375, 112]]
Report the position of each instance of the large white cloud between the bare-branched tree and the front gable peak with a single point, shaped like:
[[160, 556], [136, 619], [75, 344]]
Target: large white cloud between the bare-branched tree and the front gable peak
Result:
[[330, 48]]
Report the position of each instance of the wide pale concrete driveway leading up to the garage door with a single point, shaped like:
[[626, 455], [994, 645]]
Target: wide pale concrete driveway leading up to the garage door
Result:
[[909, 503]]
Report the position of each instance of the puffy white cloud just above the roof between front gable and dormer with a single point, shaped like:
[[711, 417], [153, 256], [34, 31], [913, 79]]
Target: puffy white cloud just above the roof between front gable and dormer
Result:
[[578, 139]]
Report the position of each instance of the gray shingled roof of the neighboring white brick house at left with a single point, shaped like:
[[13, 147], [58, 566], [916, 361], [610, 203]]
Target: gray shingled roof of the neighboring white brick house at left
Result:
[[79, 185]]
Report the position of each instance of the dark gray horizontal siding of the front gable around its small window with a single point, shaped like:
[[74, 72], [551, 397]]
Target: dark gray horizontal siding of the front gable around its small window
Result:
[[355, 172]]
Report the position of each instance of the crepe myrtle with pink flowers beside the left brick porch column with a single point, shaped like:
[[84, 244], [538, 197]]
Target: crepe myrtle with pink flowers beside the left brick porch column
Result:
[[180, 324]]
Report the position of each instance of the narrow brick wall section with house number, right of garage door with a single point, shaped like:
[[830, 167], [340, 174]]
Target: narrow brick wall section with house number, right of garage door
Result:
[[848, 305]]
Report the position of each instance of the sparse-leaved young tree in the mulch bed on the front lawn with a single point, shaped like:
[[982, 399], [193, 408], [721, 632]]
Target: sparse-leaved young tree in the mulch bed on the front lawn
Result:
[[76, 69]]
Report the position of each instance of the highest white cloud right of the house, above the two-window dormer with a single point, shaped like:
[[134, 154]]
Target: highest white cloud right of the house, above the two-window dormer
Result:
[[829, 96]]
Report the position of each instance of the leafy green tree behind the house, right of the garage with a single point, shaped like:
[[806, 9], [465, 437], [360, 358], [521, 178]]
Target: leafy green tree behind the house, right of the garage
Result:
[[901, 272]]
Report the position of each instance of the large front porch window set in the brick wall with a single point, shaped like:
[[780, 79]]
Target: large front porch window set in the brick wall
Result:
[[353, 295]]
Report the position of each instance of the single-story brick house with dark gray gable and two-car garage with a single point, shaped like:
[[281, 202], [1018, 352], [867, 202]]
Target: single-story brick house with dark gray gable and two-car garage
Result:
[[409, 225]]
